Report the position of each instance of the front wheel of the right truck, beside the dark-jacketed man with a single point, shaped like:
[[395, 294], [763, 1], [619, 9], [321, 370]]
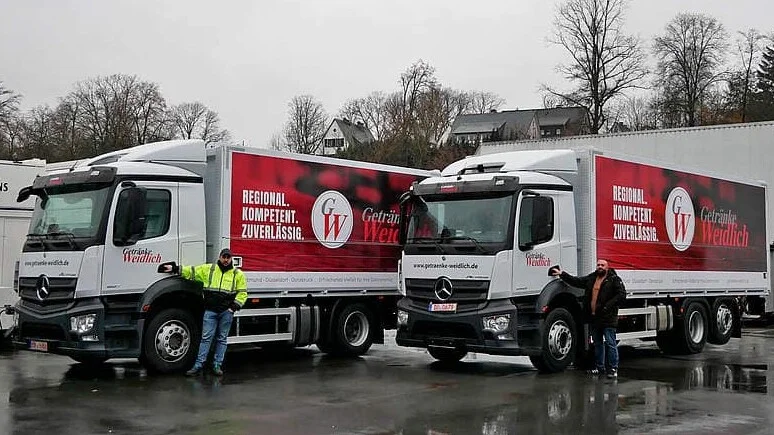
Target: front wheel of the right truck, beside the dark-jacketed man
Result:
[[559, 342]]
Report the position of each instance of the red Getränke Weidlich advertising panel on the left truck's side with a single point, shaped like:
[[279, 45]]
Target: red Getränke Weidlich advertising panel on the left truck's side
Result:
[[296, 216]]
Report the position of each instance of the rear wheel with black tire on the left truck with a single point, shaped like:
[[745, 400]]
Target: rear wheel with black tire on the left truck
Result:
[[353, 330]]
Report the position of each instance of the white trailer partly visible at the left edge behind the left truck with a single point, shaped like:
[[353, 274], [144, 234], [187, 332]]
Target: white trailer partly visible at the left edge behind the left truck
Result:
[[14, 221]]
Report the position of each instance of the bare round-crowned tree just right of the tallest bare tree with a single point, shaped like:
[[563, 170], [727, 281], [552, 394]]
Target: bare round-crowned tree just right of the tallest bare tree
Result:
[[690, 57]]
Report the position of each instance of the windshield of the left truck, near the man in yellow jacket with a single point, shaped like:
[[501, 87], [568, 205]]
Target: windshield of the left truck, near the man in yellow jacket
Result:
[[67, 218]]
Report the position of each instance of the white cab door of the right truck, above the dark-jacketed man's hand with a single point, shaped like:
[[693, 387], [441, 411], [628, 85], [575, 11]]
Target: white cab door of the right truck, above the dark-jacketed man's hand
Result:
[[537, 241]]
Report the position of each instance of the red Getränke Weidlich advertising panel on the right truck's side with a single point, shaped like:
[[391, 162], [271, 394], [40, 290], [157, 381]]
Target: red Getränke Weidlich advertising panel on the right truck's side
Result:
[[651, 218]]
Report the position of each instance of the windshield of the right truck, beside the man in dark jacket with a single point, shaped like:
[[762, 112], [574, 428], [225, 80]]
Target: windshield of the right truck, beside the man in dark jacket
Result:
[[448, 220]]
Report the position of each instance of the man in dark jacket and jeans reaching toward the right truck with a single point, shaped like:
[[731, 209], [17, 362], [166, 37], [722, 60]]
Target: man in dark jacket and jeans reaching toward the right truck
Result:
[[604, 293]]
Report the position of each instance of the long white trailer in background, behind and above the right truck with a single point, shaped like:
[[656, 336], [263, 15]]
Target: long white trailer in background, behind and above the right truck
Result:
[[744, 151]]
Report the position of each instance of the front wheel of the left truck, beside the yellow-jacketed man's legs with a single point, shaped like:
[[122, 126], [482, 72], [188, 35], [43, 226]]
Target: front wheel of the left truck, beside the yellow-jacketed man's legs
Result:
[[178, 337]]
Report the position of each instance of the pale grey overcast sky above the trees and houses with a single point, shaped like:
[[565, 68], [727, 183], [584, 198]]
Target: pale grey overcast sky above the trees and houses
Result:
[[247, 59]]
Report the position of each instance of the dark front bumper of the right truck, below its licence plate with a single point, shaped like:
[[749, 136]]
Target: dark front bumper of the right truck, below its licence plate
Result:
[[464, 330]]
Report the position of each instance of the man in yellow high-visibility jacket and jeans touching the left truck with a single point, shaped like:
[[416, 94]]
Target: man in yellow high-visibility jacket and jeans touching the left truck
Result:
[[225, 291]]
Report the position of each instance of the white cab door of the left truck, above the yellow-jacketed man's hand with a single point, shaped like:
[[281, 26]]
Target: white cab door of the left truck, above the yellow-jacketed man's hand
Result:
[[133, 268]]
